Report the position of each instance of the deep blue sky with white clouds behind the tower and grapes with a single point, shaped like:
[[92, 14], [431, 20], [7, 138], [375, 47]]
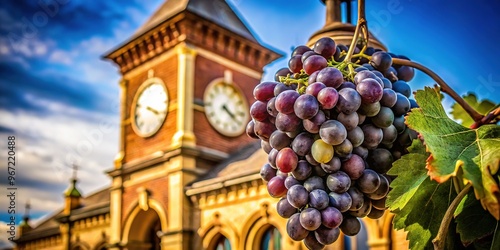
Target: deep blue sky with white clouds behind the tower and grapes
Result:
[[61, 100]]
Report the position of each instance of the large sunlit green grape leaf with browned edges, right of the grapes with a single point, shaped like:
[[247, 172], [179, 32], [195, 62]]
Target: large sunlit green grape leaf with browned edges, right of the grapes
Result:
[[453, 147]]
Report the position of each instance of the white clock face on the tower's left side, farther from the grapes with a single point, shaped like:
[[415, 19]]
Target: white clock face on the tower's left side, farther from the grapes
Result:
[[149, 108]]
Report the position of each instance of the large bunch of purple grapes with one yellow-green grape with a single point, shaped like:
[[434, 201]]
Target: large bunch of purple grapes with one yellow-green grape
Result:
[[331, 132]]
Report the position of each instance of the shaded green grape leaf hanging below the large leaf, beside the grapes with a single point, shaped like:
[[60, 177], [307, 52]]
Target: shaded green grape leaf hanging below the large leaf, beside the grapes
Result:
[[418, 203]]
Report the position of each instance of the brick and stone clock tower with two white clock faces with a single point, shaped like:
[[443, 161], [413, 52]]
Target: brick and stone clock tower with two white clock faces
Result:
[[187, 81]]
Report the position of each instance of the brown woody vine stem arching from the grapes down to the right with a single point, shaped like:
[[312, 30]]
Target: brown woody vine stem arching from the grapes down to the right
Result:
[[444, 87]]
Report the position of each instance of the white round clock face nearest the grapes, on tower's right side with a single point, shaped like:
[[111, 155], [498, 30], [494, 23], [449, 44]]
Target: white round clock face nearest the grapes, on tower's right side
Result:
[[226, 108]]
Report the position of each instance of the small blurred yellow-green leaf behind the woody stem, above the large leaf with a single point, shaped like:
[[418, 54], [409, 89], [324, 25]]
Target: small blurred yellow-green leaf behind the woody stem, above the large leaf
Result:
[[482, 107]]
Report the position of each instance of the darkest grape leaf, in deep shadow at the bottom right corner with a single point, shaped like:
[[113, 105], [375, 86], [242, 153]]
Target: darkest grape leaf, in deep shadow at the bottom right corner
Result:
[[473, 222]]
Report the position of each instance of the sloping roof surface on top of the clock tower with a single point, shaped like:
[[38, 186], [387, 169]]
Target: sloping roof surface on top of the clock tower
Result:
[[217, 11]]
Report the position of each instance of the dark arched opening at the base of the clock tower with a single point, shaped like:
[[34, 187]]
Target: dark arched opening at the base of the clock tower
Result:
[[144, 230]]
